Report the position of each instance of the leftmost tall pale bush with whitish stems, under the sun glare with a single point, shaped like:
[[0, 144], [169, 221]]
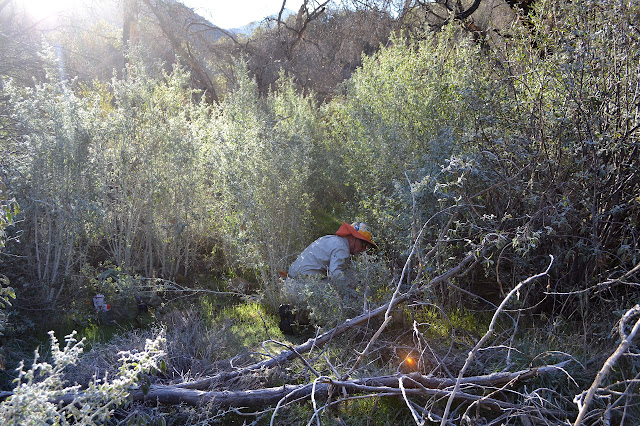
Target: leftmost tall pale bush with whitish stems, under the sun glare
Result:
[[52, 178]]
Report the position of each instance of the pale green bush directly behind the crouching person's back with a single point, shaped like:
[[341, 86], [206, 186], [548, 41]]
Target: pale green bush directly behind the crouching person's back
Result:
[[257, 158]]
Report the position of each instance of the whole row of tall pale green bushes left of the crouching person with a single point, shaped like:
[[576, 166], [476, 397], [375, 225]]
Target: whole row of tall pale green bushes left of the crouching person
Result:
[[139, 171]]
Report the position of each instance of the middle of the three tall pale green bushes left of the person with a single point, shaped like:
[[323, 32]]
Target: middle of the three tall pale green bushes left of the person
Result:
[[151, 183]]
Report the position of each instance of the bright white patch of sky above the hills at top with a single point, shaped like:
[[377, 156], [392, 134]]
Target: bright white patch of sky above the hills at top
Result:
[[237, 13]]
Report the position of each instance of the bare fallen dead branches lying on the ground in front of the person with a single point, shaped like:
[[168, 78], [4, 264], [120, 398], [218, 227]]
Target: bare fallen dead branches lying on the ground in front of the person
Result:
[[481, 391]]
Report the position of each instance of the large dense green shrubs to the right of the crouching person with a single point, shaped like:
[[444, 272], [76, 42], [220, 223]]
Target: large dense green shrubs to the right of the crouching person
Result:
[[532, 147]]
